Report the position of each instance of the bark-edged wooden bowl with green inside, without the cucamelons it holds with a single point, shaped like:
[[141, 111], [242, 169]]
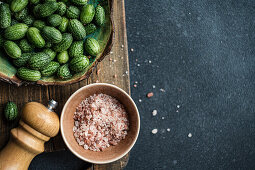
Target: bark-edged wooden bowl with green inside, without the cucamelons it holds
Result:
[[104, 35]]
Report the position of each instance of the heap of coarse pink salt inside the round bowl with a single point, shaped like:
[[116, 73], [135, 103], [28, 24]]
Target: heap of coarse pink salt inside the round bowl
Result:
[[100, 121]]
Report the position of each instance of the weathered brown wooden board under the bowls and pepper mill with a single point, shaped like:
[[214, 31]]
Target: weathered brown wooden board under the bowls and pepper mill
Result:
[[113, 69]]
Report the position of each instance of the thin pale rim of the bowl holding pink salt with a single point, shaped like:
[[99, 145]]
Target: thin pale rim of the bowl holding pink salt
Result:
[[89, 160]]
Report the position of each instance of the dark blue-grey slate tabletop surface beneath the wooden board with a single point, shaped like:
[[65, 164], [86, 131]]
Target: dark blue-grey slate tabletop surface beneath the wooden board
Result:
[[202, 56]]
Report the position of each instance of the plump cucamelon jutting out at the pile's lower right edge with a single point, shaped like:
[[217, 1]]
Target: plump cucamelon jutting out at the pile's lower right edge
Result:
[[92, 46]]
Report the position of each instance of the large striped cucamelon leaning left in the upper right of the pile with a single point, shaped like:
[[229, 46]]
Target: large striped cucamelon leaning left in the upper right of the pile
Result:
[[77, 29]]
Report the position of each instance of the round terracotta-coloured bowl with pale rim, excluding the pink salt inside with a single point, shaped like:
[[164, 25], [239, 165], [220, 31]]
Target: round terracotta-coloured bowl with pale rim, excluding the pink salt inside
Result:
[[112, 153]]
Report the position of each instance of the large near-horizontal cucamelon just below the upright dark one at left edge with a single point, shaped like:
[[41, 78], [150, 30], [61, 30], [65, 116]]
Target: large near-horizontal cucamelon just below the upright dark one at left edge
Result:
[[16, 32]]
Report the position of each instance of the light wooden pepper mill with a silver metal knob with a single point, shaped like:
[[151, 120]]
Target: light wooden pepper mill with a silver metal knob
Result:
[[37, 124]]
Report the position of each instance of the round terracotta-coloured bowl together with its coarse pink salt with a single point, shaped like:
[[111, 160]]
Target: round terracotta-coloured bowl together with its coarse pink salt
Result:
[[100, 123]]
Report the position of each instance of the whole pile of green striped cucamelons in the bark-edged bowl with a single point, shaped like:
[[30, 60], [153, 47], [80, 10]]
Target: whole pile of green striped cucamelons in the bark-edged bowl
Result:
[[45, 37]]
